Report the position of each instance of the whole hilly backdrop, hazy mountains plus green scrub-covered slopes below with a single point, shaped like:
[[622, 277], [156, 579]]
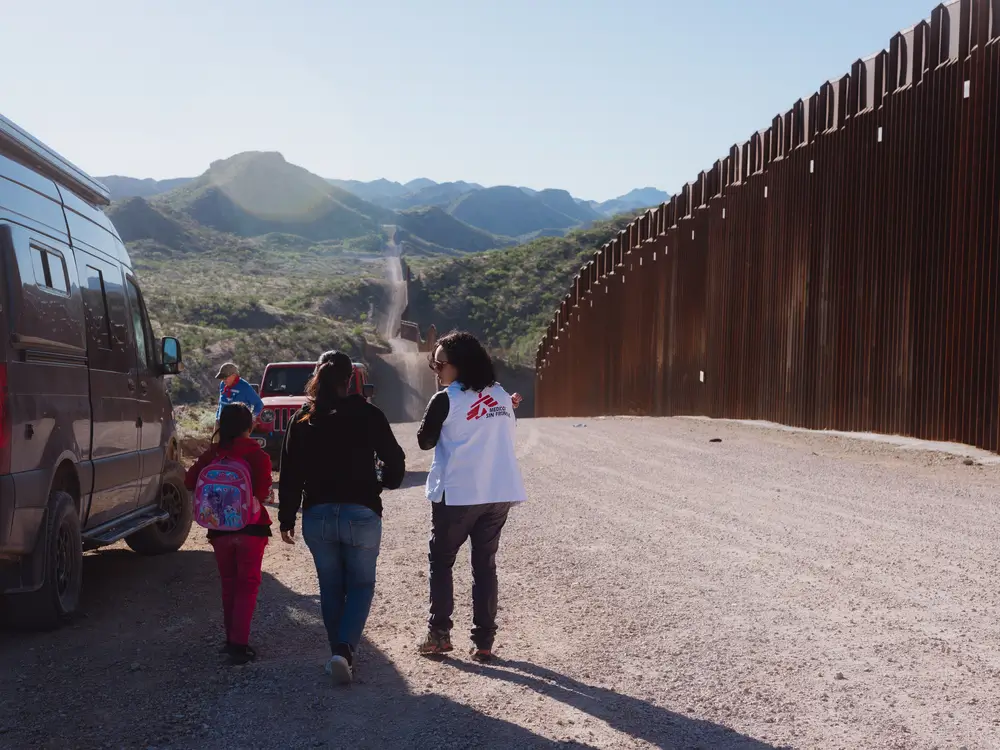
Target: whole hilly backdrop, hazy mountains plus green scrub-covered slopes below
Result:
[[258, 259]]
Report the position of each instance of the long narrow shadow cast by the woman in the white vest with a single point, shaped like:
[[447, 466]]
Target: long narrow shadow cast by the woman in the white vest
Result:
[[637, 718]]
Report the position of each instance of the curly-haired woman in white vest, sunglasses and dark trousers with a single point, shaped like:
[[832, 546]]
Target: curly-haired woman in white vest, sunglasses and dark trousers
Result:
[[473, 482]]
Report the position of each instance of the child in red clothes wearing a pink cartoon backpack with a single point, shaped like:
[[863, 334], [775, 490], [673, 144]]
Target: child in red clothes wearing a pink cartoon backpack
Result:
[[229, 481]]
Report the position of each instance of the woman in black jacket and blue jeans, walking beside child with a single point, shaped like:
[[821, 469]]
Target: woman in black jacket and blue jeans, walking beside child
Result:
[[328, 467]]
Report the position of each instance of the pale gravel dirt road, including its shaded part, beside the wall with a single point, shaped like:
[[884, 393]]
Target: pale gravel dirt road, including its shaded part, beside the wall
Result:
[[773, 589]]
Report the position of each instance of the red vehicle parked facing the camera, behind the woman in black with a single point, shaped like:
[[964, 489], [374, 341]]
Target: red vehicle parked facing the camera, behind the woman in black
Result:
[[283, 391]]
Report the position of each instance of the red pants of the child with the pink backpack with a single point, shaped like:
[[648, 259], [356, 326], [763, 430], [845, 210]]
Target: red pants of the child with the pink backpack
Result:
[[239, 557]]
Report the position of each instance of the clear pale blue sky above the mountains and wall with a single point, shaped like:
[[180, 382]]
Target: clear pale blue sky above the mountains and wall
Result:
[[594, 96]]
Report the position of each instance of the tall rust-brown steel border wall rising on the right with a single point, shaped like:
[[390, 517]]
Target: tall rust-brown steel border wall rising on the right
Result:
[[837, 270]]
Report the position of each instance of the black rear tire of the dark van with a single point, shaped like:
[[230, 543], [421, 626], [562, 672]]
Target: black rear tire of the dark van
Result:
[[60, 542]]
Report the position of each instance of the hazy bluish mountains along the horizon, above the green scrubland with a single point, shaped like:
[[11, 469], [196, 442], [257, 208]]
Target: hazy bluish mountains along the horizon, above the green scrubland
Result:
[[260, 194]]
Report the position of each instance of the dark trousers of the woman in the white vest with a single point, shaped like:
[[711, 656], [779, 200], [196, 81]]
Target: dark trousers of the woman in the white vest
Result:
[[451, 525]]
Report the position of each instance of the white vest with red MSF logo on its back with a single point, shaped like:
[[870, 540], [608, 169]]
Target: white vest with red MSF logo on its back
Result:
[[474, 460]]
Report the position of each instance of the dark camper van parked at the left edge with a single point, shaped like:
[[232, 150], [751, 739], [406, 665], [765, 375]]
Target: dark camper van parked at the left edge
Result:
[[88, 451]]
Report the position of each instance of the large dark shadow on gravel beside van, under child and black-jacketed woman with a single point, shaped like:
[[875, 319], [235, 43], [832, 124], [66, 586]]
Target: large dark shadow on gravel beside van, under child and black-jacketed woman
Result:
[[140, 668]]
